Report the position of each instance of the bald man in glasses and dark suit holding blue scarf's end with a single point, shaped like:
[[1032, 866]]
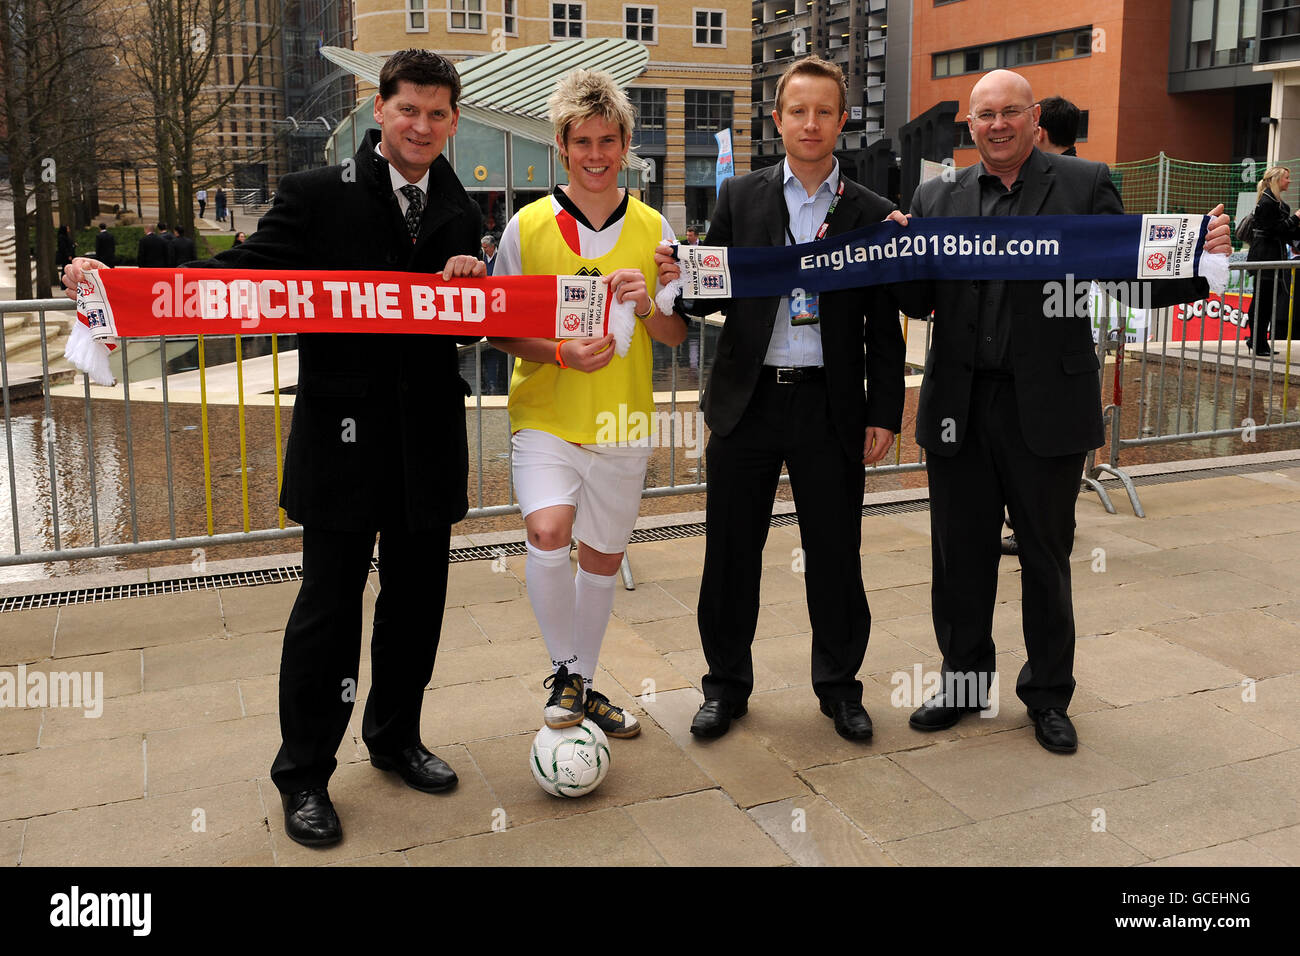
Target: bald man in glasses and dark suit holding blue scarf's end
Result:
[[1009, 406]]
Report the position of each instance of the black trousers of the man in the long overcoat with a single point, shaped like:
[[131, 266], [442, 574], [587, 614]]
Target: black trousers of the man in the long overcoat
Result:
[[323, 644]]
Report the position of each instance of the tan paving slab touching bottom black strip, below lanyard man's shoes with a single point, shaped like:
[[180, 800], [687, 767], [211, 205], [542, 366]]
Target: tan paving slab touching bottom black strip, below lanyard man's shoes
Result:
[[705, 829]]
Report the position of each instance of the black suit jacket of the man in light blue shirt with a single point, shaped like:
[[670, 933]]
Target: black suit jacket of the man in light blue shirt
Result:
[[861, 335]]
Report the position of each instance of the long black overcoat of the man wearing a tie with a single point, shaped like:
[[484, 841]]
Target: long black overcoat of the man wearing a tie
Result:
[[402, 395]]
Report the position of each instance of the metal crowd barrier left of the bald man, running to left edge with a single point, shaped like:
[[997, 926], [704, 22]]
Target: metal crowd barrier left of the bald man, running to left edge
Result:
[[62, 530]]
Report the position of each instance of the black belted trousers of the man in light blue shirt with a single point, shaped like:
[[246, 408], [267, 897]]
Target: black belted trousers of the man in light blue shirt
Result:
[[791, 425]]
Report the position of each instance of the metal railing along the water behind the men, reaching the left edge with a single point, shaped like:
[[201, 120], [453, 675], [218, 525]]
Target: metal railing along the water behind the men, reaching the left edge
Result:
[[90, 444]]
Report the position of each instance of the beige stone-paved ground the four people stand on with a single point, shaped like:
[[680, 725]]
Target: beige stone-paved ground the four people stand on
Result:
[[1186, 708]]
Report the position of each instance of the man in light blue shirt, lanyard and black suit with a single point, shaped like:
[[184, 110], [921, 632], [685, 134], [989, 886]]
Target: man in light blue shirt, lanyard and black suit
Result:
[[787, 387]]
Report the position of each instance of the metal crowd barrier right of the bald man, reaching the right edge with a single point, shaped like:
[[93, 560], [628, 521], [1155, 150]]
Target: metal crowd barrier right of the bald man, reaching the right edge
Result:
[[1246, 395]]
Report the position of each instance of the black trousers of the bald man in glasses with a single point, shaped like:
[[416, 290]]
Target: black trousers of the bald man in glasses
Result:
[[968, 492]]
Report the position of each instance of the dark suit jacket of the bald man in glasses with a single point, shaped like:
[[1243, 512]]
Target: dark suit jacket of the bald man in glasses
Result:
[[1054, 360]]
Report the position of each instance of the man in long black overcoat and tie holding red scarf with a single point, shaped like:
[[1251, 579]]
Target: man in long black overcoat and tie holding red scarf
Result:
[[378, 444]]
